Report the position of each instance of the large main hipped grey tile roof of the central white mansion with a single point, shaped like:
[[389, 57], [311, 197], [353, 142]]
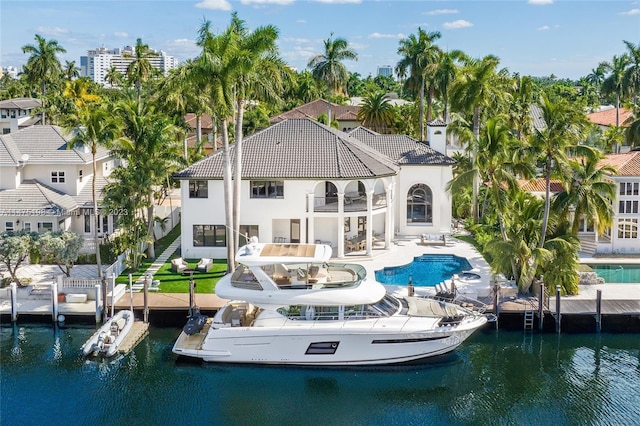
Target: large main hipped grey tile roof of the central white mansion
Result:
[[298, 149]]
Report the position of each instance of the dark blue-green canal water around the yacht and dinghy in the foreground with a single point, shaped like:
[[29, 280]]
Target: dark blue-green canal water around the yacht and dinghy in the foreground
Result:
[[496, 377]]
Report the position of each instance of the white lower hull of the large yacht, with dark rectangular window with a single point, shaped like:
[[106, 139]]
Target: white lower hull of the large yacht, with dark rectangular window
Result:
[[332, 343]]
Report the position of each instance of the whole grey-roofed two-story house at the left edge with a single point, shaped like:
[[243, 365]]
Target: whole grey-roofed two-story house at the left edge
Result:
[[44, 186]]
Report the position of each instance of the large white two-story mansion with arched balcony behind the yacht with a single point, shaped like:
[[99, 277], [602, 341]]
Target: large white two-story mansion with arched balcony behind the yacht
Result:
[[305, 182]]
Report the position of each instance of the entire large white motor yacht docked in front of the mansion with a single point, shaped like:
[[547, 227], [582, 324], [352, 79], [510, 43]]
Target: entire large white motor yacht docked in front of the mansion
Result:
[[288, 305]]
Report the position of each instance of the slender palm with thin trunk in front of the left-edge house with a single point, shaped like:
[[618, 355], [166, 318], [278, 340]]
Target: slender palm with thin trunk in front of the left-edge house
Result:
[[94, 128]]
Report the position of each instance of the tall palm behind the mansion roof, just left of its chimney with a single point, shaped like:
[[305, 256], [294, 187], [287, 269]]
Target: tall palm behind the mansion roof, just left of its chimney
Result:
[[420, 57]]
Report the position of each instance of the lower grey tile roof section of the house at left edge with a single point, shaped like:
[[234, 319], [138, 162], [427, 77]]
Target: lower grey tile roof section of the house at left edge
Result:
[[33, 198]]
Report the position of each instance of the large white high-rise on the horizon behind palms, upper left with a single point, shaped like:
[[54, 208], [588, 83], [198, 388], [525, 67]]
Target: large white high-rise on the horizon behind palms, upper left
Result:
[[97, 63]]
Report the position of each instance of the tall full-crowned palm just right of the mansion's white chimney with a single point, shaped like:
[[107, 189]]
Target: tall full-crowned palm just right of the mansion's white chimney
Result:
[[479, 87]]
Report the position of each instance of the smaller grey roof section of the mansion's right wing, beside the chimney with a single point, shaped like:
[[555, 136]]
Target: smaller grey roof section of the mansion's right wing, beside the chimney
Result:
[[400, 148]]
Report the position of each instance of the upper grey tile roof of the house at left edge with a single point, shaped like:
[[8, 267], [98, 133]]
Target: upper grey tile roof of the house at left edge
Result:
[[43, 145]]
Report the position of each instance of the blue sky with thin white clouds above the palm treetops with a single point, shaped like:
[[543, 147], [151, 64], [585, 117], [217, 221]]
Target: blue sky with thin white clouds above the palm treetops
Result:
[[532, 37]]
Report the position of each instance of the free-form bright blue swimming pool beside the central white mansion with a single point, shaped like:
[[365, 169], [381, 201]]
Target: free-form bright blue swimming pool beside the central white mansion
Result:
[[425, 270]]
